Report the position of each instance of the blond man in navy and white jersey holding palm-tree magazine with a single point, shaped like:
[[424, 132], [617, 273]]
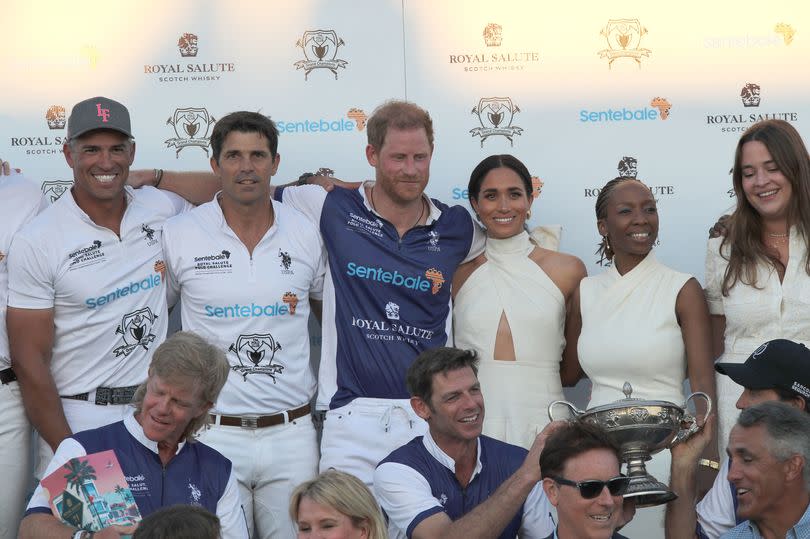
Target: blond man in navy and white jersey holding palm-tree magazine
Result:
[[155, 445]]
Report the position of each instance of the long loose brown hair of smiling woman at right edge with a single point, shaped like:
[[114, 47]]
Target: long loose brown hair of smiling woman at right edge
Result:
[[745, 224]]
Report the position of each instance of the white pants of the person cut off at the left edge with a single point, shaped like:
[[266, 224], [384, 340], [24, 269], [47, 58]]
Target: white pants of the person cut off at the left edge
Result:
[[15, 454]]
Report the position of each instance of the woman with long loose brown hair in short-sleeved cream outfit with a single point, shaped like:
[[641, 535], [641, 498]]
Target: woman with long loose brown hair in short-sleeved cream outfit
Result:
[[758, 275]]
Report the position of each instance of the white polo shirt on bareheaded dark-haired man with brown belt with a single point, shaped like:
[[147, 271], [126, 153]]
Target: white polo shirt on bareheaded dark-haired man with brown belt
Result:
[[254, 307]]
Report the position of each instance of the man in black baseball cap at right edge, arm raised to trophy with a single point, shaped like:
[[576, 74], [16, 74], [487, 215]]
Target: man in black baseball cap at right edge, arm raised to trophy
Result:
[[779, 370]]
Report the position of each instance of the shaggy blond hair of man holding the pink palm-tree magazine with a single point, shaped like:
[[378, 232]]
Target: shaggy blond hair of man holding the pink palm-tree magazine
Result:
[[185, 358]]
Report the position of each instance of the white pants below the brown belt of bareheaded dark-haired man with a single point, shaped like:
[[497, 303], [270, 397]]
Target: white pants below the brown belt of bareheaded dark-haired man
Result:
[[269, 464]]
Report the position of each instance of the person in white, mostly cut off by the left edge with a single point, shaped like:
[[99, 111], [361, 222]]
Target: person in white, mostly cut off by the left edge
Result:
[[20, 201]]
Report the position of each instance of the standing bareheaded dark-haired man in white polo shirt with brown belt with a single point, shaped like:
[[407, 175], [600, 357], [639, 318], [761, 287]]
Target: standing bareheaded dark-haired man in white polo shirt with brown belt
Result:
[[247, 269]]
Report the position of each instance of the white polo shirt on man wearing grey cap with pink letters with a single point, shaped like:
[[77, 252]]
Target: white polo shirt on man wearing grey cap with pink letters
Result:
[[107, 292]]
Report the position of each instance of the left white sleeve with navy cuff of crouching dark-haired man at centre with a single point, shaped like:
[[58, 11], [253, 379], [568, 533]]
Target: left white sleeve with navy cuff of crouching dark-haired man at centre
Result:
[[405, 495]]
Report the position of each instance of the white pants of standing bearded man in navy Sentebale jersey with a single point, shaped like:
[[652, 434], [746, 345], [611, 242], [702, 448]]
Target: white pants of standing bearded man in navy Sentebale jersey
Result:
[[357, 436]]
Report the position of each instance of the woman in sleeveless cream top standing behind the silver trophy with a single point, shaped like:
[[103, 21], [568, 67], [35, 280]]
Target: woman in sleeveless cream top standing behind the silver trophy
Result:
[[642, 322]]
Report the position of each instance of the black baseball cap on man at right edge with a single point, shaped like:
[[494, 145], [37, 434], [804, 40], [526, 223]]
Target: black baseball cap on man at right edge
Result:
[[779, 363]]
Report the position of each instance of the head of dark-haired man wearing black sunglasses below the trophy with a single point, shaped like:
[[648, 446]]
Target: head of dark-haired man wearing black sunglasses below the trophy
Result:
[[581, 479]]
